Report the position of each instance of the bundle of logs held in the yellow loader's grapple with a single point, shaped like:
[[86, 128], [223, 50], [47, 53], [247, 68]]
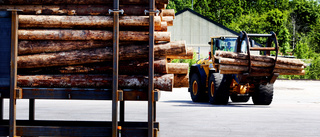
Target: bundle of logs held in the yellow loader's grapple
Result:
[[236, 63]]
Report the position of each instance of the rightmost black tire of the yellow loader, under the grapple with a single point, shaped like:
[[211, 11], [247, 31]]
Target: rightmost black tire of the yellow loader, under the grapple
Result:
[[263, 94]]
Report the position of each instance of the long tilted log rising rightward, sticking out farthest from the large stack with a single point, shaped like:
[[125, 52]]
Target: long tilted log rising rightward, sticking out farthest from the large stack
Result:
[[76, 57]]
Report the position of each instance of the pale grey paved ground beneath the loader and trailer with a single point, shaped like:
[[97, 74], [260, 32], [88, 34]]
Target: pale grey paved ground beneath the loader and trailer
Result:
[[294, 112]]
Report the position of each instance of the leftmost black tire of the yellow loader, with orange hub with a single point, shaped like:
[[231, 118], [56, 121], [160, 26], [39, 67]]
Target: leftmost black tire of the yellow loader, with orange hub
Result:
[[196, 90]]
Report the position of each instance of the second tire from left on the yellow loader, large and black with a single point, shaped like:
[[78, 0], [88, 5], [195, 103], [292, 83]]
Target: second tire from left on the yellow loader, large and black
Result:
[[218, 89]]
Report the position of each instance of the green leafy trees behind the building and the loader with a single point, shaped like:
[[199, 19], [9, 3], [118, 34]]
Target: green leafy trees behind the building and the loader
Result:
[[296, 23]]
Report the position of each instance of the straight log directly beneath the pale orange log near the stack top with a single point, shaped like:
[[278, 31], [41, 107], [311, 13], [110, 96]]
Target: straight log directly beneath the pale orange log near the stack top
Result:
[[24, 34]]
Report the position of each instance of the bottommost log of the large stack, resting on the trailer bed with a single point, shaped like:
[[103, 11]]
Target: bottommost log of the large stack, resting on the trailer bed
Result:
[[162, 82]]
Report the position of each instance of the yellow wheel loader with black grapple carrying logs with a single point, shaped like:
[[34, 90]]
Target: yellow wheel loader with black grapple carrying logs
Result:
[[208, 83]]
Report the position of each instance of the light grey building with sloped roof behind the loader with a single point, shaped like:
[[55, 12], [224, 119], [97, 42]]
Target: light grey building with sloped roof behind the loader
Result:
[[196, 30]]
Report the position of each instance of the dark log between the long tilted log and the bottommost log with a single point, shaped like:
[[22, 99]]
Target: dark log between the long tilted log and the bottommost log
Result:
[[131, 67]]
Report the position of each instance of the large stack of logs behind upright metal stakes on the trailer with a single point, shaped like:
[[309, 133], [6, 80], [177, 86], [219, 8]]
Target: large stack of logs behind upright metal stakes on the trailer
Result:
[[68, 43]]
